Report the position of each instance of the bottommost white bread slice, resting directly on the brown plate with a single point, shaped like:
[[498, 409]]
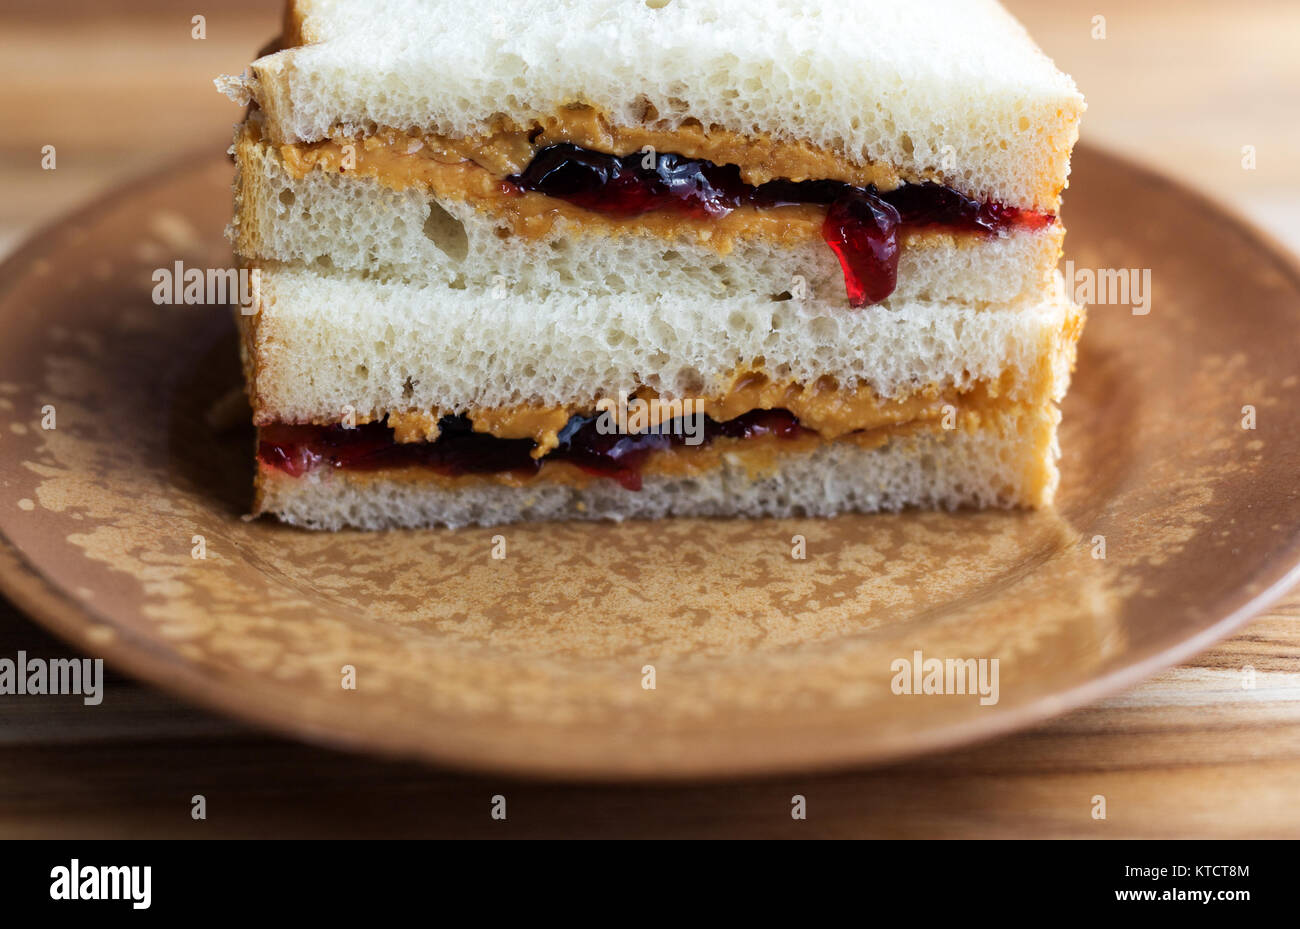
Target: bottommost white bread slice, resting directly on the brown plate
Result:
[[1011, 463]]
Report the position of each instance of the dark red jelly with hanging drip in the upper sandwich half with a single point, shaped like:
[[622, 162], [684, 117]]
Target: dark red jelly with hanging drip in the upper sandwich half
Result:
[[861, 227]]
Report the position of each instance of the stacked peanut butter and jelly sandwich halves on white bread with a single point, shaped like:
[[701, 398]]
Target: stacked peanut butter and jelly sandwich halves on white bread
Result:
[[809, 246]]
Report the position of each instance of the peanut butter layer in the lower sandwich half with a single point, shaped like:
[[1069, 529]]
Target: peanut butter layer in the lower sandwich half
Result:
[[824, 407]]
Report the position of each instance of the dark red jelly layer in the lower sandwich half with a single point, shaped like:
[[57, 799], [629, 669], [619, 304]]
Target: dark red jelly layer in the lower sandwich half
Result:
[[460, 450]]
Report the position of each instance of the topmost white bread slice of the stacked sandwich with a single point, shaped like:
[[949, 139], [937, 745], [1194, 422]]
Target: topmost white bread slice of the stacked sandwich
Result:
[[948, 90]]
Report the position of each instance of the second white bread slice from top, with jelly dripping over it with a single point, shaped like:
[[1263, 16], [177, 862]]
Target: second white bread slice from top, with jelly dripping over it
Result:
[[352, 223]]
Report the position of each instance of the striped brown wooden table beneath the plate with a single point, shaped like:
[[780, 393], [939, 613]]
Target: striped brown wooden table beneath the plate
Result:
[[122, 89]]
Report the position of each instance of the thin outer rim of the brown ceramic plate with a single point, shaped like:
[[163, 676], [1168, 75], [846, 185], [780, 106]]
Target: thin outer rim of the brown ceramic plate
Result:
[[57, 610]]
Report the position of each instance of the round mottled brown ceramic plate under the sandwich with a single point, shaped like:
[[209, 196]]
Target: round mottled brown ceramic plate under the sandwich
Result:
[[535, 663]]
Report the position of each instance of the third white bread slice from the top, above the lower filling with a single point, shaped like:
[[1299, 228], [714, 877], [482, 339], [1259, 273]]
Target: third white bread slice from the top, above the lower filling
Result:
[[327, 345]]
